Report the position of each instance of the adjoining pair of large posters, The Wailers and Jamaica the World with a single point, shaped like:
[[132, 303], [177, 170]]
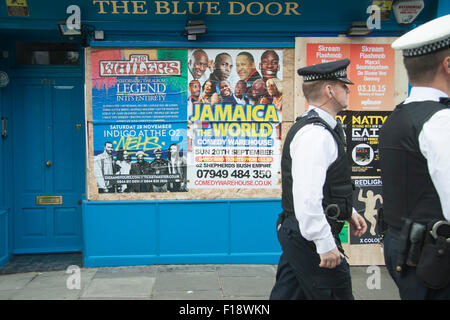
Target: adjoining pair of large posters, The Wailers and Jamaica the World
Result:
[[174, 120]]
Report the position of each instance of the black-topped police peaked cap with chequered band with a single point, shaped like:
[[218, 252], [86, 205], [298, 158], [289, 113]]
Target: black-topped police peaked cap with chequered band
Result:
[[335, 70]]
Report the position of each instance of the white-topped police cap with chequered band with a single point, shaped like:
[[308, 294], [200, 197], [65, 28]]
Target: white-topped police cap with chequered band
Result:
[[430, 37]]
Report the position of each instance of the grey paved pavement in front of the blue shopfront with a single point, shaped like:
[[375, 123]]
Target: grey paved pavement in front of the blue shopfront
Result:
[[172, 282]]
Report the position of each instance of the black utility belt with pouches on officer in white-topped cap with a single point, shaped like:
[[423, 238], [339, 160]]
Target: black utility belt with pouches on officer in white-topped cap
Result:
[[425, 247]]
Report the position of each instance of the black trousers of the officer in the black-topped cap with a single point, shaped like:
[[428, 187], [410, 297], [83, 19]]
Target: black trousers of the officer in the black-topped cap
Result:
[[298, 274]]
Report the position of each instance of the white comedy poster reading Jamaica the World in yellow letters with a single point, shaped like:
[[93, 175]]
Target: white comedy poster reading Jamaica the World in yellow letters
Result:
[[235, 106]]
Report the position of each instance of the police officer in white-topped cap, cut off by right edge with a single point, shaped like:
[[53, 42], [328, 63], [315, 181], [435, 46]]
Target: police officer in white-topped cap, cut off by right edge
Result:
[[415, 168]]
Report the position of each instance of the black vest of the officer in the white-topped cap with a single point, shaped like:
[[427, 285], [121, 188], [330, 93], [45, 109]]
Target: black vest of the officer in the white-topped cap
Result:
[[407, 187]]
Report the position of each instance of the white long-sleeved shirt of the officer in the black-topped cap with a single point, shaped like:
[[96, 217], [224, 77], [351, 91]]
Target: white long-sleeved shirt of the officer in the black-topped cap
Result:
[[313, 150]]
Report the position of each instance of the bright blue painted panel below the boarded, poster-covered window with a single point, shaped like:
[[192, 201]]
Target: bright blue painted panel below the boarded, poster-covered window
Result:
[[192, 232]]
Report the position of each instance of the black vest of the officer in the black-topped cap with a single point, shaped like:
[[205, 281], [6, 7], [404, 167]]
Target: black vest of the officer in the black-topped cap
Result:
[[338, 187]]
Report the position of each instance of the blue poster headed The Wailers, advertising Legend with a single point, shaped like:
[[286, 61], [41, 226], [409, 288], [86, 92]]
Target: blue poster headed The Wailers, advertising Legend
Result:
[[139, 117]]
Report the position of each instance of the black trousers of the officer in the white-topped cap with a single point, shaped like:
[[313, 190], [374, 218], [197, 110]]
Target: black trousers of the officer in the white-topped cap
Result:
[[408, 285]]
